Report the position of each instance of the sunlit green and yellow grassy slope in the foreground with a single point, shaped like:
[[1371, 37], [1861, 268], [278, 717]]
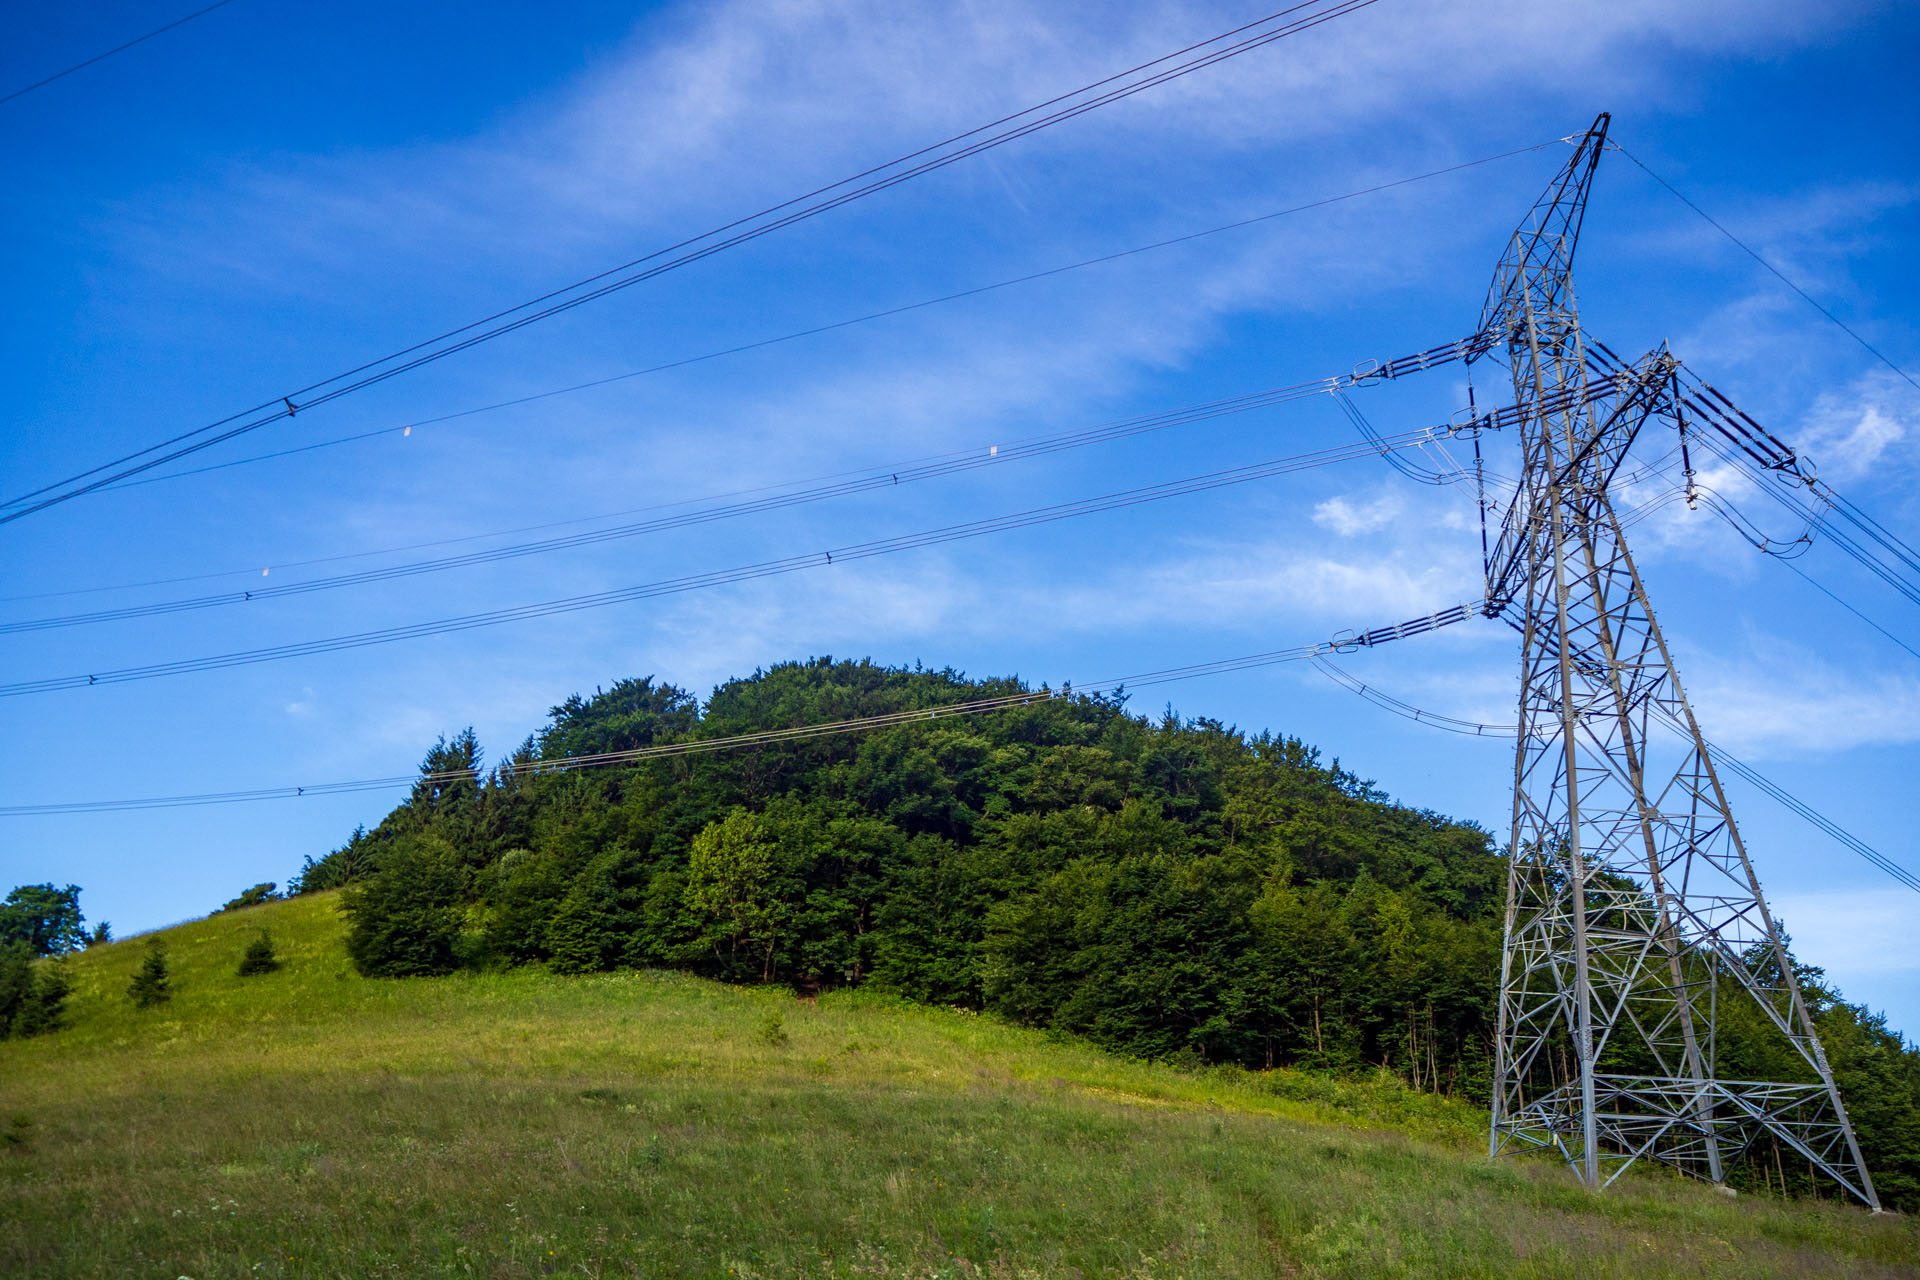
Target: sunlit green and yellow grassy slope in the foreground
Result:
[[312, 1124]]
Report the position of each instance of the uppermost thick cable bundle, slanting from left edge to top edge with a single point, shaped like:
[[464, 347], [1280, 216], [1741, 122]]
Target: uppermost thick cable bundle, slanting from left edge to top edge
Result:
[[740, 231]]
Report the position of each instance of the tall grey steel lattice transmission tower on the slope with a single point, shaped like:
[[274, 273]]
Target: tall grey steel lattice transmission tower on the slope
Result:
[[1635, 920]]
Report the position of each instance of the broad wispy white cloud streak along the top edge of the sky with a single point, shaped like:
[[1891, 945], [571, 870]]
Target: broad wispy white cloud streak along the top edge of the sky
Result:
[[717, 110]]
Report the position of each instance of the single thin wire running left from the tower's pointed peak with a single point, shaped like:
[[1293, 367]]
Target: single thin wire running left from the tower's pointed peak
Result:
[[838, 325]]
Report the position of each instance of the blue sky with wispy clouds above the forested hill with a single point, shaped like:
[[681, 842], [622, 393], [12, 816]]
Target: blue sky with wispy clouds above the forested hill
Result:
[[276, 193]]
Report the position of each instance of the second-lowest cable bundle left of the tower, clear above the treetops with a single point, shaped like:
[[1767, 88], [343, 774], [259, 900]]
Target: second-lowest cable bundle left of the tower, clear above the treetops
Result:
[[767, 569]]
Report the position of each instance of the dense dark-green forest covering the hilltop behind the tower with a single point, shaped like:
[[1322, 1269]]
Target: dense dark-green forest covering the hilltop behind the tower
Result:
[[1164, 888]]
